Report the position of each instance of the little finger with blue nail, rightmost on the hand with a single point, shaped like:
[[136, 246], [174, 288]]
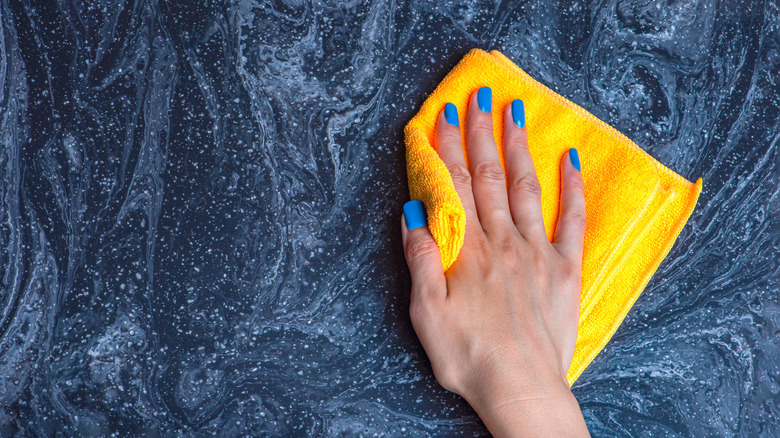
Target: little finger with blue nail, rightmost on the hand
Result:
[[570, 232]]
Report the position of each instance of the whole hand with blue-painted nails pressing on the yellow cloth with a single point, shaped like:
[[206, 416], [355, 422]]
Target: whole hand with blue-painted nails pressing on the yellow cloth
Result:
[[500, 326]]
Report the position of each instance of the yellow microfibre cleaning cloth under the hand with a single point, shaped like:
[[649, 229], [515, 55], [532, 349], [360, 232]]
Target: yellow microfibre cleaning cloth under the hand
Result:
[[636, 206]]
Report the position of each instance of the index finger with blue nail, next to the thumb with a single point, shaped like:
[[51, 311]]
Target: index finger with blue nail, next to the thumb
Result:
[[449, 146]]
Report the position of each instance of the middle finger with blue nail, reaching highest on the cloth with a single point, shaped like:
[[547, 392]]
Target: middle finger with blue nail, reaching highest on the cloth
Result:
[[488, 179]]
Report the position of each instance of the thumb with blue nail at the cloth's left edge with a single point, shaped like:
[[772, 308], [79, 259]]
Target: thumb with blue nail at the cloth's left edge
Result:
[[422, 255]]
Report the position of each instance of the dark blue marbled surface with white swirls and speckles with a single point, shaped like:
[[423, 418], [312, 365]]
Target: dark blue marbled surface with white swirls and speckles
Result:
[[200, 210]]
